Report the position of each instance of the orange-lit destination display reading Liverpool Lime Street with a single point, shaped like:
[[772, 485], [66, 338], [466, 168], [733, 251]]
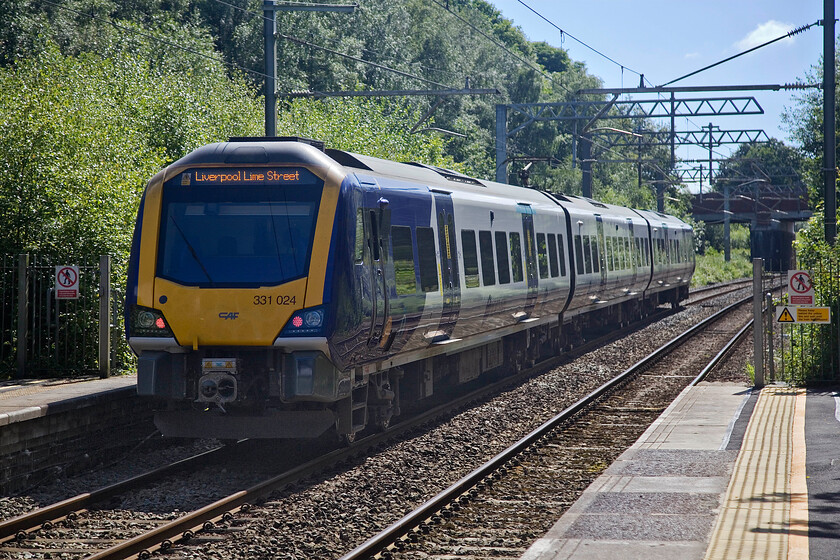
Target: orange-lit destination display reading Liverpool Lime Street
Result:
[[251, 176]]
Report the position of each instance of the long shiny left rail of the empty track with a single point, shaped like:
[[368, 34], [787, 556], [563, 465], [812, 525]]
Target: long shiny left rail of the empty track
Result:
[[392, 533]]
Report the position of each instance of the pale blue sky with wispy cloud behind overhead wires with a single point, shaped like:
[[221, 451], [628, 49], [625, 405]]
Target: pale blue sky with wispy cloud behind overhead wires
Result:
[[666, 39]]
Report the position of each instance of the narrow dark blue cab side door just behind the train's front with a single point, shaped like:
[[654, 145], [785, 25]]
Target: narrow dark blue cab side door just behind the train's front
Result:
[[377, 225]]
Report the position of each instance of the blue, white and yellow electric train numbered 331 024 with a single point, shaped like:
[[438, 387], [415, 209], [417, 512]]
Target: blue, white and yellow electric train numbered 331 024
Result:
[[280, 290]]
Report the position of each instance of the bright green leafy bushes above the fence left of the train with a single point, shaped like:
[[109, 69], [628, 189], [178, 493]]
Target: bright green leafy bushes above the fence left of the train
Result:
[[80, 136]]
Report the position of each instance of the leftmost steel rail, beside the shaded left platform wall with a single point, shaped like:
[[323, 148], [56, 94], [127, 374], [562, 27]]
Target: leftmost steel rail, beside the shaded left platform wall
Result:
[[16, 526]]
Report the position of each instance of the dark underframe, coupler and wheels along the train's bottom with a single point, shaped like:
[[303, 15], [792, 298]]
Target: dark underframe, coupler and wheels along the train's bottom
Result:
[[230, 393]]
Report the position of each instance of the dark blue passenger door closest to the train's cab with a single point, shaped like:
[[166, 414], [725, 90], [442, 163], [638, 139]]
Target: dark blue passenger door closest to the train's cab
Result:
[[450, 280]]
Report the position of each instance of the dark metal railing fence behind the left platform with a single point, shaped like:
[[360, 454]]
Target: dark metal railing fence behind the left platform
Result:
[[44, 336]]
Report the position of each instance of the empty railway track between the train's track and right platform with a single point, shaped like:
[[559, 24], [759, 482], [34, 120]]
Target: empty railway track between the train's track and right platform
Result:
[[504, 505]]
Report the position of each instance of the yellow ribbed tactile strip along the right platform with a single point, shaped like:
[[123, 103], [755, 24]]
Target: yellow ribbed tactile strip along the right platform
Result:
[[757, 519]]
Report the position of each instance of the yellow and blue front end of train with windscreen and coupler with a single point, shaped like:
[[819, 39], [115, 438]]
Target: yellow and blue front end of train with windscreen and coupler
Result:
[[225, 306]]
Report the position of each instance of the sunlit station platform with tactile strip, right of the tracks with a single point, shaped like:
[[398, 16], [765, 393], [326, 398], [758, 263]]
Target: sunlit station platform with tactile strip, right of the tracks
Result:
[[726, 472]]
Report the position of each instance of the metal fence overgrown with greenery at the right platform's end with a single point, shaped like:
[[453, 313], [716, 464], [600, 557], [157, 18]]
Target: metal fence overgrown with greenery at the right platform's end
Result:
[[801, 352]]
